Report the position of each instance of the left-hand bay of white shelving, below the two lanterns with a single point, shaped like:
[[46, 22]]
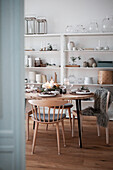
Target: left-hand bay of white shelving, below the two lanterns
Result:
[[35, 41]]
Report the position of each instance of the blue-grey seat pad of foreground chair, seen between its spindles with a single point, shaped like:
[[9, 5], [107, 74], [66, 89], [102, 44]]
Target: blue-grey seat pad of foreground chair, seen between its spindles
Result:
[[51, 117]]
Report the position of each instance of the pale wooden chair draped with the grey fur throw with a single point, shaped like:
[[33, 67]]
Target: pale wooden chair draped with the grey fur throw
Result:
[[98, 127]]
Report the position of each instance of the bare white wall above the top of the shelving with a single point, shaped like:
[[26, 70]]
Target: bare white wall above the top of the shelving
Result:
[[60, 13]]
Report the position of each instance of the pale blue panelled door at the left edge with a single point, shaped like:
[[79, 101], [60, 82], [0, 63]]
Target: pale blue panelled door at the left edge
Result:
[[12, 130]]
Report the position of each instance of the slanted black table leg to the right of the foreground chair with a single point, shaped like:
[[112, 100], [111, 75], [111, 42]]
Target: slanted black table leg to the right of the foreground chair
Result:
[[78, 117]]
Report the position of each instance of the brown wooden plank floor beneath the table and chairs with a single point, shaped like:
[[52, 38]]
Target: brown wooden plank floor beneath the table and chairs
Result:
[[95, 154]]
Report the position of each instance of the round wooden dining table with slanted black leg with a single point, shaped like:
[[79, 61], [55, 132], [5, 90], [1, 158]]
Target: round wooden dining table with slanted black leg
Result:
[[76, 97]]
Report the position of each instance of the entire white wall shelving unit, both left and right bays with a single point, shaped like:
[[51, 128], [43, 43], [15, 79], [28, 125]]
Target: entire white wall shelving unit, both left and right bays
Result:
[[61, 55]]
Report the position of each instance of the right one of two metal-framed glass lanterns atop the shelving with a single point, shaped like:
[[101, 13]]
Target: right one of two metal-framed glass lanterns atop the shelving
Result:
[[41, 25]]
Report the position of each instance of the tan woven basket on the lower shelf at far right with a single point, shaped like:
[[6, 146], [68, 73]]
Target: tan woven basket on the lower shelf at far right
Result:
[[105, 77]]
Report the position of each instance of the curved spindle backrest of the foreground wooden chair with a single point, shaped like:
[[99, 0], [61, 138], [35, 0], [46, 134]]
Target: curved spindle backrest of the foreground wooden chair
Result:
[[45, 108]]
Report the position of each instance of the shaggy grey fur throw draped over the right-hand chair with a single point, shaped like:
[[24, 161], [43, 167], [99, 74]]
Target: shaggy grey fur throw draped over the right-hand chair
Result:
[[99, 109]]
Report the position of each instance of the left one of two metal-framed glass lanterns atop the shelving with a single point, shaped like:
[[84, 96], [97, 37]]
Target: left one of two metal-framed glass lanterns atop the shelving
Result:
[[30, 25]]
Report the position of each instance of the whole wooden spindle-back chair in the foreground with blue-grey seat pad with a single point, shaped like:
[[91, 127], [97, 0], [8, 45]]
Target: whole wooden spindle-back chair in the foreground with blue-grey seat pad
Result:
[[53, 116]]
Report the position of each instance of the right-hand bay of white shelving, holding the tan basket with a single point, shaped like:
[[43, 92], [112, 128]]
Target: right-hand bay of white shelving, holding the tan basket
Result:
[[82, 41]]
